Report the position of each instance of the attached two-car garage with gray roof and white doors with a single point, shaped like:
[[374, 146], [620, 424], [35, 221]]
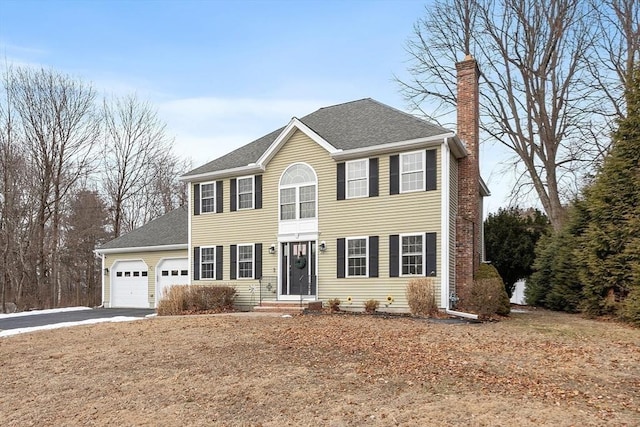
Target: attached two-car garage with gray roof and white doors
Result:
[[139, 265]]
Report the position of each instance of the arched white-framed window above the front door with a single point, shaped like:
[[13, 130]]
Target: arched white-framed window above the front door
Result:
[[298, 193]]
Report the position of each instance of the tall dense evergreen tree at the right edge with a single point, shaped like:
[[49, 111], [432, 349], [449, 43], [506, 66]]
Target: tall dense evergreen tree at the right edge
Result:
[[610, 246]]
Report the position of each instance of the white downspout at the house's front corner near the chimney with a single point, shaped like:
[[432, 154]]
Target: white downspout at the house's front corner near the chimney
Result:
[[446, 230]]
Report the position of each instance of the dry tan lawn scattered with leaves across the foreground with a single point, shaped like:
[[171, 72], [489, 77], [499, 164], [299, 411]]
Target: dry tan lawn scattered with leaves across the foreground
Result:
[[534, 369]]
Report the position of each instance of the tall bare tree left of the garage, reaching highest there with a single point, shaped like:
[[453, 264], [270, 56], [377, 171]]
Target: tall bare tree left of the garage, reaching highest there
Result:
[[60, 128]]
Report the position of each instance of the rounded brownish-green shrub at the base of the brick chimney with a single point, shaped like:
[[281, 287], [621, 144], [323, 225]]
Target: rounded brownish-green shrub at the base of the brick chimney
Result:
[[488, 295]]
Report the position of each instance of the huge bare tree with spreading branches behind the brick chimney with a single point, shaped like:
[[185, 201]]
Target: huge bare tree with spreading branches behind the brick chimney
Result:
[[537, 96]]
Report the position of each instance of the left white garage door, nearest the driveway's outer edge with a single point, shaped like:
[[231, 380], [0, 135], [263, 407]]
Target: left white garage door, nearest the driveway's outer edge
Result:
[[130, 284]]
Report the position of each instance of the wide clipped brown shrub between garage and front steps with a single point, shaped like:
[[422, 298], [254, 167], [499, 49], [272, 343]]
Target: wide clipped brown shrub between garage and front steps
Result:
[[190, 298]]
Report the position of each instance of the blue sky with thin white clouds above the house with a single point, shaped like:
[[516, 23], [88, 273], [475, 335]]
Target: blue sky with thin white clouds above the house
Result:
[[223, 73]]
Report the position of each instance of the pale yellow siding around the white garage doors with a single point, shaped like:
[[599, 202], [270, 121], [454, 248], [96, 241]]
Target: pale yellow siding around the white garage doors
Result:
[[150, 258]]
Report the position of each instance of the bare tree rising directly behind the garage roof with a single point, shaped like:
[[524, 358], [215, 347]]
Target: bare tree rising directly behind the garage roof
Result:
[[135, 142]]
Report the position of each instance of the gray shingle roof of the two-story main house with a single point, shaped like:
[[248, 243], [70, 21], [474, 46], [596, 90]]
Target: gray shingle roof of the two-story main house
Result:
[[356, 124]]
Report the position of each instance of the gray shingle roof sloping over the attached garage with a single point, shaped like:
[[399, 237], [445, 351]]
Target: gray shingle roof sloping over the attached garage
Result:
[[169, 229]]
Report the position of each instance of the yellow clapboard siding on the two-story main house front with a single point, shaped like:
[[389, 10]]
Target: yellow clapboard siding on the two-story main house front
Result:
[[381, 216]]
